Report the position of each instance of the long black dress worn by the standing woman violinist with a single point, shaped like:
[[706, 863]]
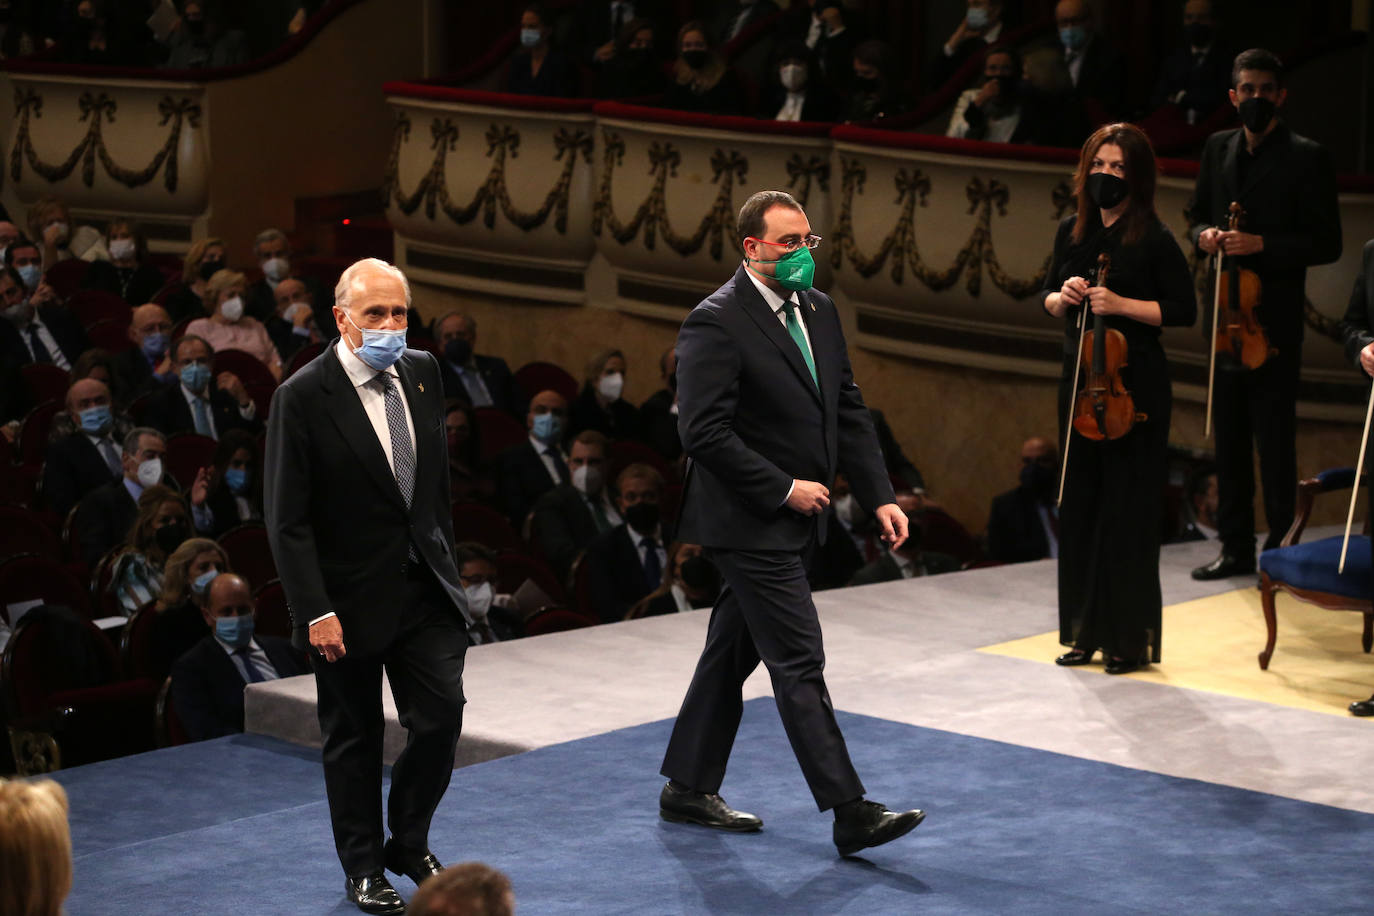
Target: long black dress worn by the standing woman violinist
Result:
[[1111, 517]]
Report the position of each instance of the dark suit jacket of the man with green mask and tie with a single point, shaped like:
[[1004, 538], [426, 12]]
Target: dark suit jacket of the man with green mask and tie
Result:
[[752, 421]]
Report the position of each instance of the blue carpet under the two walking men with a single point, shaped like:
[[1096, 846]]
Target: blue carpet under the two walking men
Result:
[[240, 826]]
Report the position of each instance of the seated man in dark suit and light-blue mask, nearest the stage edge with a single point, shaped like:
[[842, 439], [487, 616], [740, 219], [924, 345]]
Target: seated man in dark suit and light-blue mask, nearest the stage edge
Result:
[[208, 680]]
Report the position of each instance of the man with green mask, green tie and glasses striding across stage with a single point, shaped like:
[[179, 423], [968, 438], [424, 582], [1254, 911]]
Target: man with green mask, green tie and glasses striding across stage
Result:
[[770, 411]]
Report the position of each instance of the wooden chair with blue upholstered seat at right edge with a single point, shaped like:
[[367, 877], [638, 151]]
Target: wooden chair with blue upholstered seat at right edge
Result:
[[1309, 571]]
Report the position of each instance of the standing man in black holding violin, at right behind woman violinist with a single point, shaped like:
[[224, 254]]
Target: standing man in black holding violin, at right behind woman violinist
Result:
[[1287, 189]]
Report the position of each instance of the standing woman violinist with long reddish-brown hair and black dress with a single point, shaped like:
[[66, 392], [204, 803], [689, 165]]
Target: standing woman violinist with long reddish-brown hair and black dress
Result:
[[1111, 516]]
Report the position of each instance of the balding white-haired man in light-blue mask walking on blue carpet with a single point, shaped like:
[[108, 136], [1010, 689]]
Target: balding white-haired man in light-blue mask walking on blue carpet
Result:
[[357, 505]]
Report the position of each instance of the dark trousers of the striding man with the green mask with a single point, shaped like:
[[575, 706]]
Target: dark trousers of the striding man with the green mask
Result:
[[765, 613]]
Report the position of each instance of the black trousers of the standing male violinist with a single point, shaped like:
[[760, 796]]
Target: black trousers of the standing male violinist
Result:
[[1261, 407]]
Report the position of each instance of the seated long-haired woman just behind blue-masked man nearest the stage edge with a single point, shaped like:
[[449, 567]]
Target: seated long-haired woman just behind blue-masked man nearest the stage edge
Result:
[[181, 620]]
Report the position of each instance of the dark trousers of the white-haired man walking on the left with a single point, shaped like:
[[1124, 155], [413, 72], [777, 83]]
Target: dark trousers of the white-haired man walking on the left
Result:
[[425, 668]]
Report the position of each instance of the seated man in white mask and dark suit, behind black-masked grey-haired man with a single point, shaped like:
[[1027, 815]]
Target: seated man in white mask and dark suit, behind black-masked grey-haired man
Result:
[[568, 517]]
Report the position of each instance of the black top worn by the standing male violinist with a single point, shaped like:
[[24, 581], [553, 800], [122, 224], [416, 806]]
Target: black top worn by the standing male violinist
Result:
[[1289, 200]]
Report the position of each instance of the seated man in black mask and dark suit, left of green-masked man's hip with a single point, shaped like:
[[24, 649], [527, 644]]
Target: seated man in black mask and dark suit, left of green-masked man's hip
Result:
[[627, 562]]
